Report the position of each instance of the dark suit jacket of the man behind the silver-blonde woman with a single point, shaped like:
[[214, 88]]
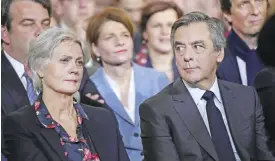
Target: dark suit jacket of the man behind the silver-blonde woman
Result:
[[14, 95]]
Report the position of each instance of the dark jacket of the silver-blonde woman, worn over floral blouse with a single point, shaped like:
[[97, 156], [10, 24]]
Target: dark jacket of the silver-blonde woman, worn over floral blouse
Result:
[[27, 140]]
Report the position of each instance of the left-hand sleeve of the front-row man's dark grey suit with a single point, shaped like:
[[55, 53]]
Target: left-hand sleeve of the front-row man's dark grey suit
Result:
[[157, 141]]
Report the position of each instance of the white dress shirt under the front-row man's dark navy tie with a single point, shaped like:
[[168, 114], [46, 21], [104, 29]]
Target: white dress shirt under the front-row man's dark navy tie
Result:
[[197, 94]]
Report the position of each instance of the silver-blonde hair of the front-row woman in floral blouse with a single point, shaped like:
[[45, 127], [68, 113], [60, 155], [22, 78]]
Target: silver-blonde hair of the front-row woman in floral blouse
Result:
[[41, 51]]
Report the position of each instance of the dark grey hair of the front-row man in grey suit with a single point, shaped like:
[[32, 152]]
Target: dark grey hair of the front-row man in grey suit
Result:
[[215, 26]]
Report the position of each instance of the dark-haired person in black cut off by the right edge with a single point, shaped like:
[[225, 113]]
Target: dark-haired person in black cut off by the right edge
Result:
[[265, 79]]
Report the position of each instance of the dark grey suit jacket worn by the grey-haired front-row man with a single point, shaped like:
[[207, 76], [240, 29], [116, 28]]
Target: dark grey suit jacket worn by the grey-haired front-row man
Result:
[[173, 129]]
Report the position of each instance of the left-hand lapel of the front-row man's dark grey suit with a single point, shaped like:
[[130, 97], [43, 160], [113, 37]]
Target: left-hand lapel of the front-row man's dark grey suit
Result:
[[189, 113]]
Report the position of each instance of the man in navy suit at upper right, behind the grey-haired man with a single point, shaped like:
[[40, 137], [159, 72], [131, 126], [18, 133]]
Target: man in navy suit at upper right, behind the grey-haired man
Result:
[[241, 64]]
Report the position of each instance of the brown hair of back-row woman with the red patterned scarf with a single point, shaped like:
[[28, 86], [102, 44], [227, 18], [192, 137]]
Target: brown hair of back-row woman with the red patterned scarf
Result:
[[156, 7]]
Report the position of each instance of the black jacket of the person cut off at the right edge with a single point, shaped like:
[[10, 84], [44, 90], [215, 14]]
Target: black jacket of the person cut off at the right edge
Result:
[[265, 86]]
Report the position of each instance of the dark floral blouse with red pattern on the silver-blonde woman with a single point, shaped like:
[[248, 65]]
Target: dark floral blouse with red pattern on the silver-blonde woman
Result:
[[76, 149]]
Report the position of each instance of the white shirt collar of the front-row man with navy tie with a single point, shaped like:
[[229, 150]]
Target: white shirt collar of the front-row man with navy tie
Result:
[[197, 93]]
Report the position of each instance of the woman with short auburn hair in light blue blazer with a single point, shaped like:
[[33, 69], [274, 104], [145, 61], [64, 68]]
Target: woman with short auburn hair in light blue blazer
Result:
[[122, 83]]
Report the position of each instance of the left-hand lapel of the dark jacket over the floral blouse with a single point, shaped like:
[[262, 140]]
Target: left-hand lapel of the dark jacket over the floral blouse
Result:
[[53, 139]]
